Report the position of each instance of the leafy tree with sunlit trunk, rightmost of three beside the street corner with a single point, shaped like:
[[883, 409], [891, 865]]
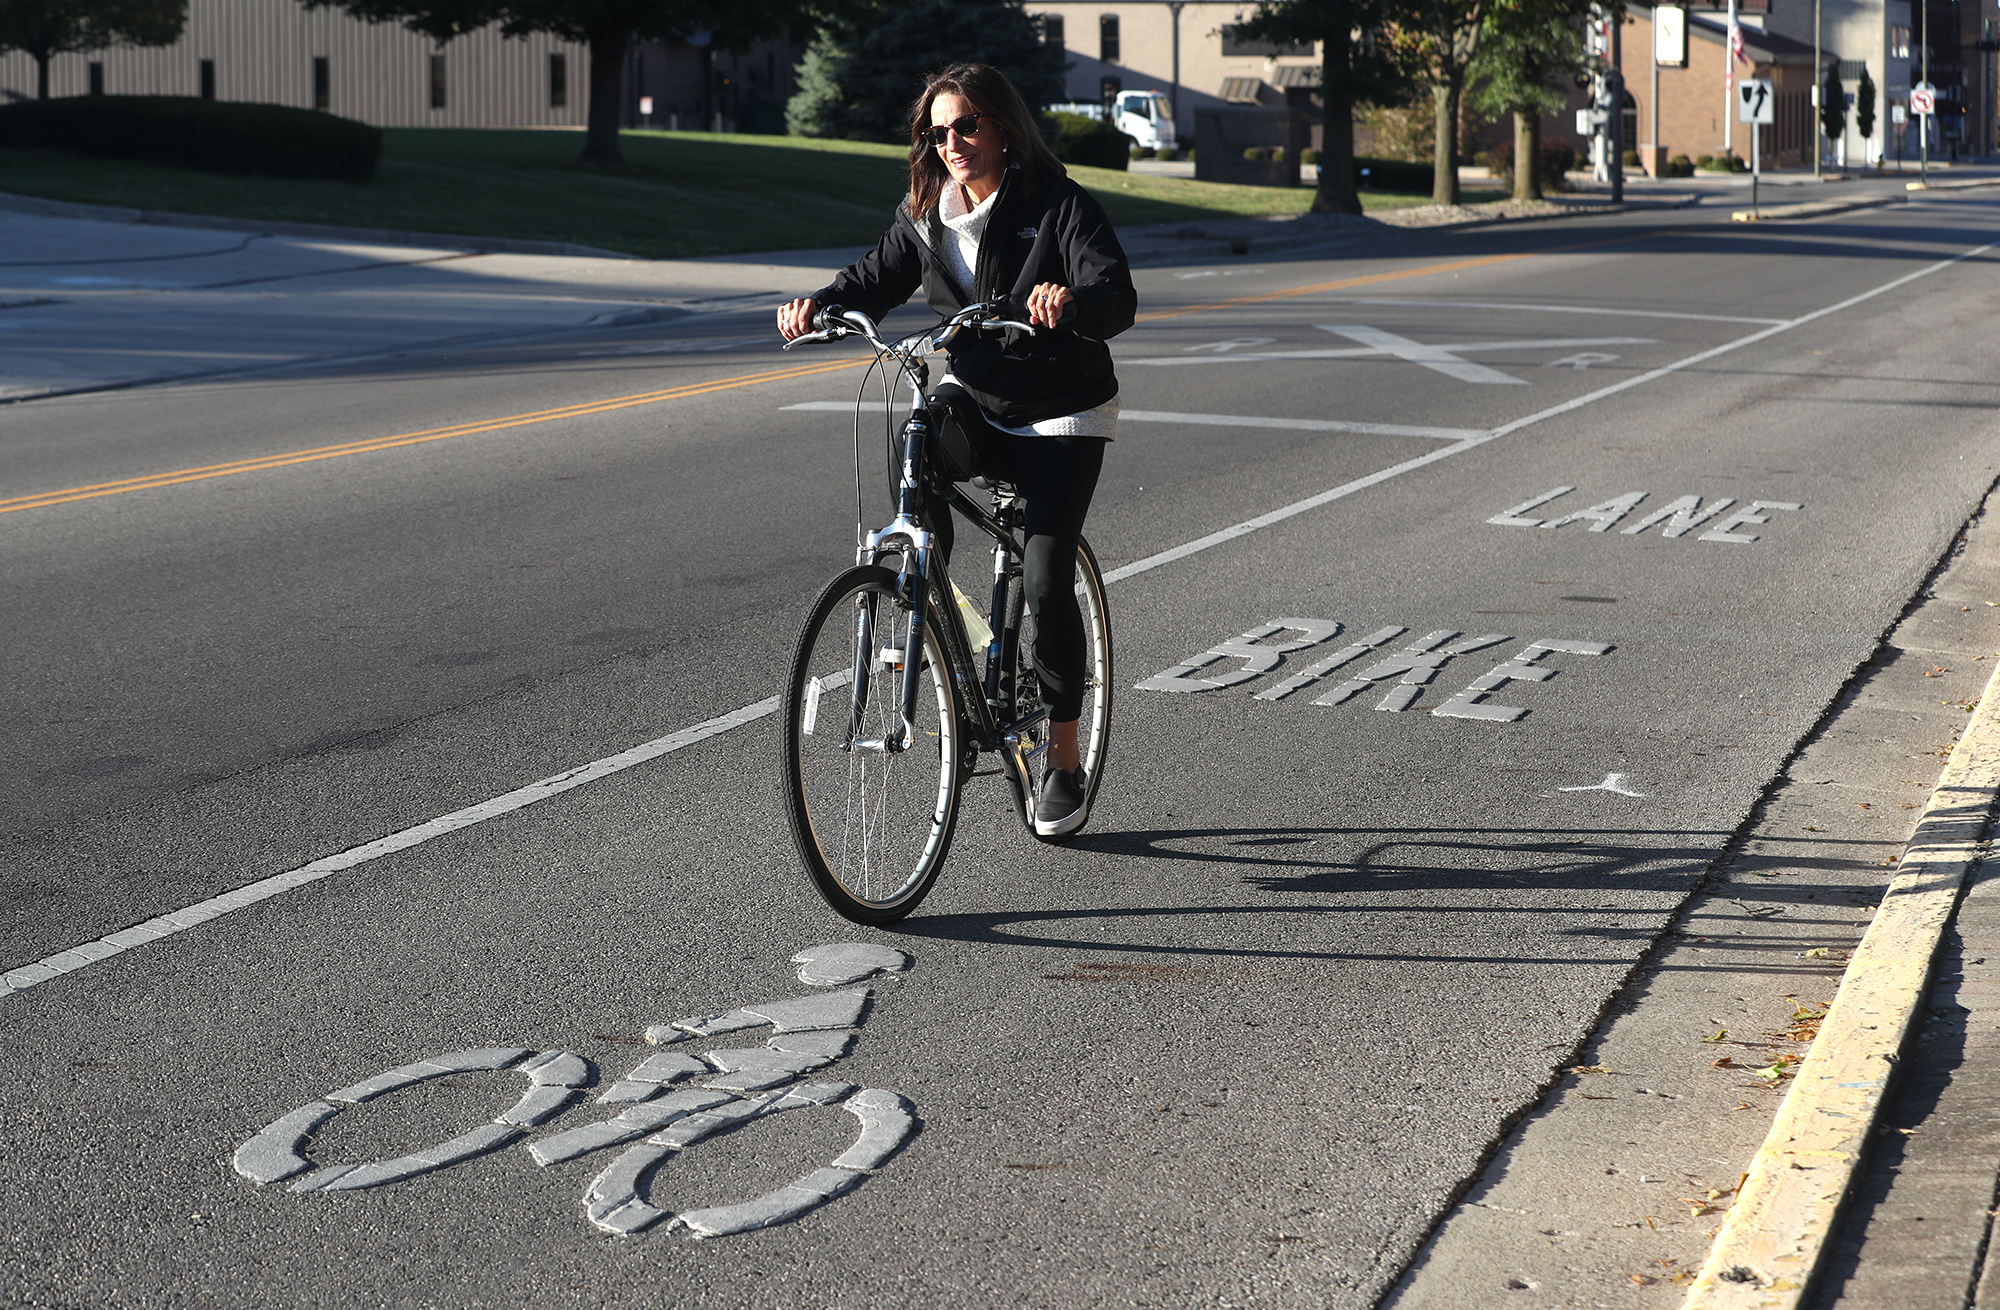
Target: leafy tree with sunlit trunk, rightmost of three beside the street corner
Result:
[[1527, 57]]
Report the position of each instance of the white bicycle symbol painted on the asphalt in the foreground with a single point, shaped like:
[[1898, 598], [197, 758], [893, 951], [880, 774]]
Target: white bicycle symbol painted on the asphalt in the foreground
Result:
[[655, 1123]]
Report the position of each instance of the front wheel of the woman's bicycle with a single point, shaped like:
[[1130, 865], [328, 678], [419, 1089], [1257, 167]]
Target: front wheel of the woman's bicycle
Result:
[[871, 825]]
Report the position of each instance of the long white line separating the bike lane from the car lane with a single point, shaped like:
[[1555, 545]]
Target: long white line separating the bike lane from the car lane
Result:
[[167, 925]]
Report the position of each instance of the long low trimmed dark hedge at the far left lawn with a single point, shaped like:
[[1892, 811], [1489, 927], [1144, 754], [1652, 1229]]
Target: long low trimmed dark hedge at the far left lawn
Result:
[[211, 135]]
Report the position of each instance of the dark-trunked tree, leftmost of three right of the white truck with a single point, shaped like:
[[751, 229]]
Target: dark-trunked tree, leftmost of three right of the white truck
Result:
[[1353, 71]]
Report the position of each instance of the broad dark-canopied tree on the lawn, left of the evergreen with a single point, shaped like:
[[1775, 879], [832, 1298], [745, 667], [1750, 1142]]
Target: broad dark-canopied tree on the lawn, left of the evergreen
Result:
[[605, 25]]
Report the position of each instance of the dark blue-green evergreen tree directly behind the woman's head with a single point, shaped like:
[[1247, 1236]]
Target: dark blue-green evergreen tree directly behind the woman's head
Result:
[[865, 71]]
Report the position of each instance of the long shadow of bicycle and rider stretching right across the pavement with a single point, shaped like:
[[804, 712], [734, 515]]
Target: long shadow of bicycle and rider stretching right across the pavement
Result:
[[1415, 873]]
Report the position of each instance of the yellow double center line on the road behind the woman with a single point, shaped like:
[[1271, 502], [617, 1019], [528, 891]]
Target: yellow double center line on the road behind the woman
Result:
[[679, 393]]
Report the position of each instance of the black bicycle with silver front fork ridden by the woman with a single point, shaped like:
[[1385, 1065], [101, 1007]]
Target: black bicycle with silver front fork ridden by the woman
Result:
[[887, 709]]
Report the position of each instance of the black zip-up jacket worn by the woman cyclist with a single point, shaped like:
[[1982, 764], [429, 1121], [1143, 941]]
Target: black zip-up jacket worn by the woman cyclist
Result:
[[1059, 235]]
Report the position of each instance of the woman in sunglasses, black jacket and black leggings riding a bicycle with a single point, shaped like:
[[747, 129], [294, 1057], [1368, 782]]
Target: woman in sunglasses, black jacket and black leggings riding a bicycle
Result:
[[995, 217]]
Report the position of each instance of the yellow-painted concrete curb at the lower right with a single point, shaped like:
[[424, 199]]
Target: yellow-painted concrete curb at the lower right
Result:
[[1777, 1235]]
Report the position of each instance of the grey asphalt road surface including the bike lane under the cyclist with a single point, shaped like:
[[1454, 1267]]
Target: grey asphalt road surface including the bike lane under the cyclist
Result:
[[1239, 1045]]
